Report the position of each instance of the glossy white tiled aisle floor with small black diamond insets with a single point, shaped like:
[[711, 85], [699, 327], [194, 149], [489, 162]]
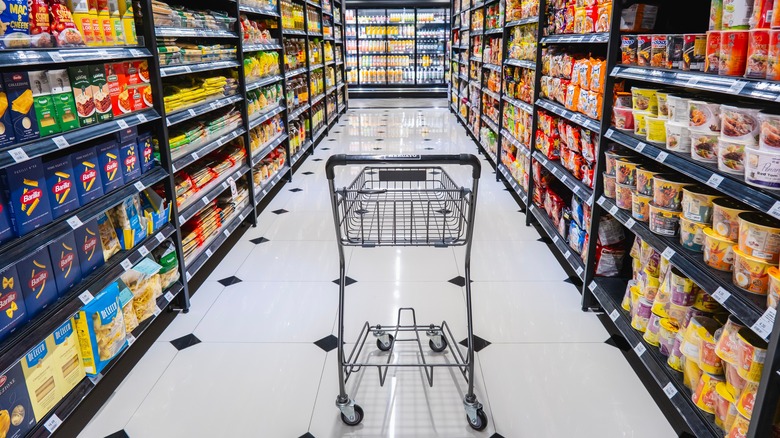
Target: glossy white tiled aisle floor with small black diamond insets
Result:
[[257, 371]]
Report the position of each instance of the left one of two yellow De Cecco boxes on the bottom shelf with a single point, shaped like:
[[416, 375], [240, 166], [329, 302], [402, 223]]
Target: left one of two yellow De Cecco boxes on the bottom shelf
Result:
[[38, 370]]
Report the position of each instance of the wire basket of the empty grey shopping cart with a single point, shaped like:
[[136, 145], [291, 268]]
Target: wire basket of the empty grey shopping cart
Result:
[[418, 206]]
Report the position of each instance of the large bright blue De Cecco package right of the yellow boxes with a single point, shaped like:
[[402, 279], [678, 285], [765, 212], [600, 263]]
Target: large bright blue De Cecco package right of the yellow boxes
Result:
[[100, 326]]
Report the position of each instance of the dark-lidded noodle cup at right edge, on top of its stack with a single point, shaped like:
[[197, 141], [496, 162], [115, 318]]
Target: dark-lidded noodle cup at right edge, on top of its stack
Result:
[[759, 236]]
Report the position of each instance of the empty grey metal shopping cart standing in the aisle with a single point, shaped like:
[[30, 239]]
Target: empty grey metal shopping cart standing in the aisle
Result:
[[413, 203]]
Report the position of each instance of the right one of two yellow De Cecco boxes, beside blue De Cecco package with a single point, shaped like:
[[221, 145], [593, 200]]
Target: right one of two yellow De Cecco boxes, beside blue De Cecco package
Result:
[[68, 370]]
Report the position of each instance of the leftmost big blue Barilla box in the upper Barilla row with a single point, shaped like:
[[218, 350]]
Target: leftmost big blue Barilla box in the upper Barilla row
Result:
[[25, 188]]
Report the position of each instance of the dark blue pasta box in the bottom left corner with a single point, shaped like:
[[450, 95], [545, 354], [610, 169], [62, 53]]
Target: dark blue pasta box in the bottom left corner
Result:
[[16, 412]]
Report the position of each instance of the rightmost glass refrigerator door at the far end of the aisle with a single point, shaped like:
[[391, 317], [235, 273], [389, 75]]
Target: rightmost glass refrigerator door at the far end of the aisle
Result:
[[431, 45]]
